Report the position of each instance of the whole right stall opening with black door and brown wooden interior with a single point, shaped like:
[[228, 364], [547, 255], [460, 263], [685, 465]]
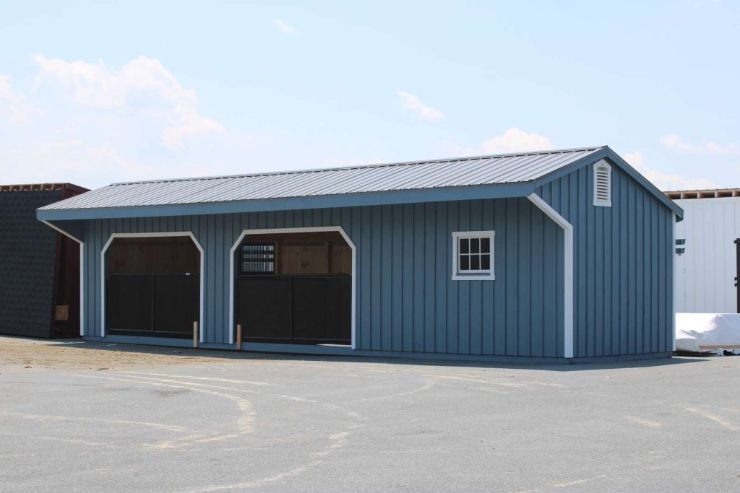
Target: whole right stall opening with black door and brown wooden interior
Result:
[[294, 288]]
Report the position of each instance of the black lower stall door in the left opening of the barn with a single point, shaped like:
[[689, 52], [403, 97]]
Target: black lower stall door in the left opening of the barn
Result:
[[155, 305]]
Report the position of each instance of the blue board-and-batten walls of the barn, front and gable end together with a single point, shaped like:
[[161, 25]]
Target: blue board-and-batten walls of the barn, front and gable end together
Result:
[[407, 301]]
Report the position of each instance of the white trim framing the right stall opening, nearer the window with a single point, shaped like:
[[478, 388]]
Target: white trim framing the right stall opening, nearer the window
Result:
[[313, 229]]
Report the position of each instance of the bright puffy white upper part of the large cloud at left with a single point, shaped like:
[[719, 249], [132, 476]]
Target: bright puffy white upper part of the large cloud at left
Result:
[[143, 87]]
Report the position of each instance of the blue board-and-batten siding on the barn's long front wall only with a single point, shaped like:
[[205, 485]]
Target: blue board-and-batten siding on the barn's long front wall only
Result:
[[406, 298]]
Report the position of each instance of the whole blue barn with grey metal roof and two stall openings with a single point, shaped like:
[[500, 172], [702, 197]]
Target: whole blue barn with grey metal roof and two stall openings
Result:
[[547, 256]]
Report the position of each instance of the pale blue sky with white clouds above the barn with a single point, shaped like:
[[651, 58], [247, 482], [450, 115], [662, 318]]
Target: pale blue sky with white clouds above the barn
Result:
[[100, 92]]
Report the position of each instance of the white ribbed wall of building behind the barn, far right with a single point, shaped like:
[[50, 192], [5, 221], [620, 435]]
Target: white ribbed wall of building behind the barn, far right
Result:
[[705, 274]]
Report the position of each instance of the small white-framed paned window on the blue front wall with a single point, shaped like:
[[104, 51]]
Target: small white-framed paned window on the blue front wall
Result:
[[472, 255]]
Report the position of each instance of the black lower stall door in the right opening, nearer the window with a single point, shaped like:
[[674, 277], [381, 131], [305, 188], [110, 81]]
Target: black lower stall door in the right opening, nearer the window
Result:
[[295, 309]]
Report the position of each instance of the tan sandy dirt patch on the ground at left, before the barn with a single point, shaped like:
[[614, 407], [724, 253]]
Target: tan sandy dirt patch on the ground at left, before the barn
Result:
[[77, 354]]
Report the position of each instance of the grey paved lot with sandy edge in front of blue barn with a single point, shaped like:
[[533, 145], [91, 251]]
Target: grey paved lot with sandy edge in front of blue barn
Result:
[[78, 416]]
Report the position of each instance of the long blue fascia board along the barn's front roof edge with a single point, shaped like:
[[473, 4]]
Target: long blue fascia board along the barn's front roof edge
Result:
[[506, 190]]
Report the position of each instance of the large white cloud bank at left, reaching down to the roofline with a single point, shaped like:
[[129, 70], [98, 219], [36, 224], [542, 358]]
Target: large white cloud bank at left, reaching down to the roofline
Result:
[[92, 125]]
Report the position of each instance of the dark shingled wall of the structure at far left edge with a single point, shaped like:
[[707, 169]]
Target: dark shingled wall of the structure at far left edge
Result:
[[27, 256]]
